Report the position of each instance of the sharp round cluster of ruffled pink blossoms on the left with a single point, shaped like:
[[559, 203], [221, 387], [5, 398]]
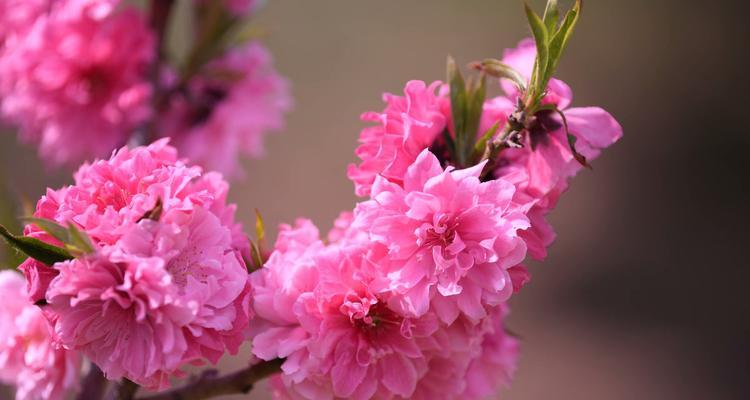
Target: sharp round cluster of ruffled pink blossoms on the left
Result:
[[166, 284]]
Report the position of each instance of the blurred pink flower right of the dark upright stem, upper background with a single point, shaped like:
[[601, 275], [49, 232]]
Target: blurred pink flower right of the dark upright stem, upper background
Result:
[[238, 99]]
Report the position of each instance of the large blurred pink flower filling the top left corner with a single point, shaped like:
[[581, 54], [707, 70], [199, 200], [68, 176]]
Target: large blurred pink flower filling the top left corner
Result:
[[75, 82]]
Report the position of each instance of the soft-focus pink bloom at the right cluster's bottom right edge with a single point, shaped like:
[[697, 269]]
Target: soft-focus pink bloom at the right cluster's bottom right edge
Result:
[[495, 365]]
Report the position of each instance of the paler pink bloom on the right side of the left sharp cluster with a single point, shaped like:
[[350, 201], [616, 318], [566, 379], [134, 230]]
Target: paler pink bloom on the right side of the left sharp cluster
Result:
[[208, 272]]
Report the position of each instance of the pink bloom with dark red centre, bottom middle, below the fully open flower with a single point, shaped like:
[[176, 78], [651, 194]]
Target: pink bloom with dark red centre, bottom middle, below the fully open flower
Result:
[[356, 346]]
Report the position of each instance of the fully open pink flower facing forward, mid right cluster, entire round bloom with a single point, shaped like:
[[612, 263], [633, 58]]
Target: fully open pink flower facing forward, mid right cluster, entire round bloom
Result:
[[449, 238]]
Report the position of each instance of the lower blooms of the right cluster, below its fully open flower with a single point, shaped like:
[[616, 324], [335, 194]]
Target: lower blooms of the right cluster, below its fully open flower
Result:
[[332, 312]]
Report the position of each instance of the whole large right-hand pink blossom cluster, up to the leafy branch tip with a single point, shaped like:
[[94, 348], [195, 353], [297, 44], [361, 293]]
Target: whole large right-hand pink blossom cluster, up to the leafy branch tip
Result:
[[408, 297]]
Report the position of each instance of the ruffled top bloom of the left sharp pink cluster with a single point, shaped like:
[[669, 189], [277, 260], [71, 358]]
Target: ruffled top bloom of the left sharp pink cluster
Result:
[[110, 196]]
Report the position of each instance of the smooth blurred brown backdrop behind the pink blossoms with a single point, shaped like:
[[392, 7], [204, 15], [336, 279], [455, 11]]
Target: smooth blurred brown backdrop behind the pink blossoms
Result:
[[645, 293]]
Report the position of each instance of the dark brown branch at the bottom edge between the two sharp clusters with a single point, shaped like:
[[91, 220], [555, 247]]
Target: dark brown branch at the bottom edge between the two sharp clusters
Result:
[[210, 385]]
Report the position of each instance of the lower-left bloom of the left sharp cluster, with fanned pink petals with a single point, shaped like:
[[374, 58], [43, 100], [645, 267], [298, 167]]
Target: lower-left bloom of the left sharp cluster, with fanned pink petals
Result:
[[124, 313]]
